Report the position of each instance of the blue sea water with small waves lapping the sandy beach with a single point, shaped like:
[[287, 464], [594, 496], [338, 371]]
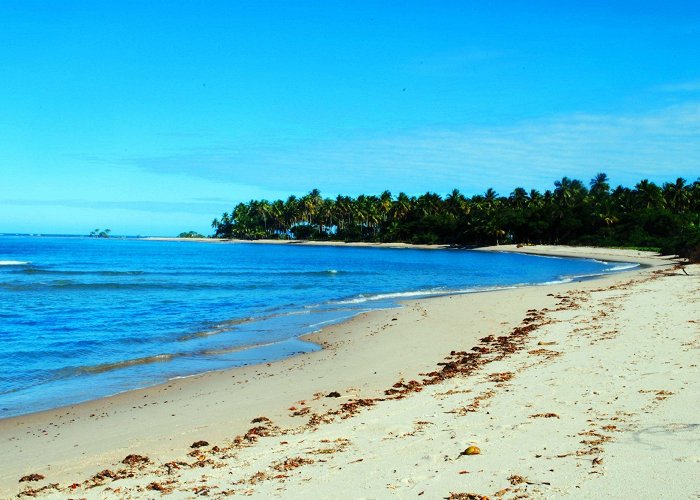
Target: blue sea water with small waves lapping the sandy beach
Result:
[[84, 318]]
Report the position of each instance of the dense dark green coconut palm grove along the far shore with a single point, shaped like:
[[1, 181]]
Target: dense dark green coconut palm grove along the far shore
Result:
[[661, 217]]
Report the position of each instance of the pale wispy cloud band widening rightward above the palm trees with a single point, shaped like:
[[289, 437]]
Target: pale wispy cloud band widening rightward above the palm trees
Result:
[[660, 144]]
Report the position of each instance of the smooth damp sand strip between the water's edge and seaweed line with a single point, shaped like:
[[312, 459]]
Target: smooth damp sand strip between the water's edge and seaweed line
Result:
[[348, 349]]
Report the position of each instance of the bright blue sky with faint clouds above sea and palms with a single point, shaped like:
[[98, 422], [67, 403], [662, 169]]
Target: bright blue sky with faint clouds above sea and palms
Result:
[[155, 117]]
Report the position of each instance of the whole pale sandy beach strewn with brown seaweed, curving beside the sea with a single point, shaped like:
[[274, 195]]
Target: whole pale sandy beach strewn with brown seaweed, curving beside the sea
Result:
[[587, 390]]
